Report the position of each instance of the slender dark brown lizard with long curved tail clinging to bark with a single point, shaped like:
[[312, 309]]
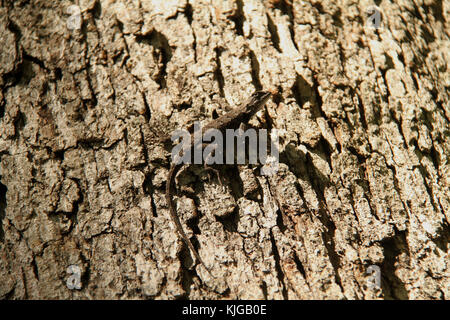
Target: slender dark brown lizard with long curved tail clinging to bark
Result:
[[230, 120]]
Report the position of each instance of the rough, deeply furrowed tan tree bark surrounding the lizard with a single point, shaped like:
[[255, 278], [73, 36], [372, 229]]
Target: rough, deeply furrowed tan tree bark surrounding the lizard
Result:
[[363, 117]]
